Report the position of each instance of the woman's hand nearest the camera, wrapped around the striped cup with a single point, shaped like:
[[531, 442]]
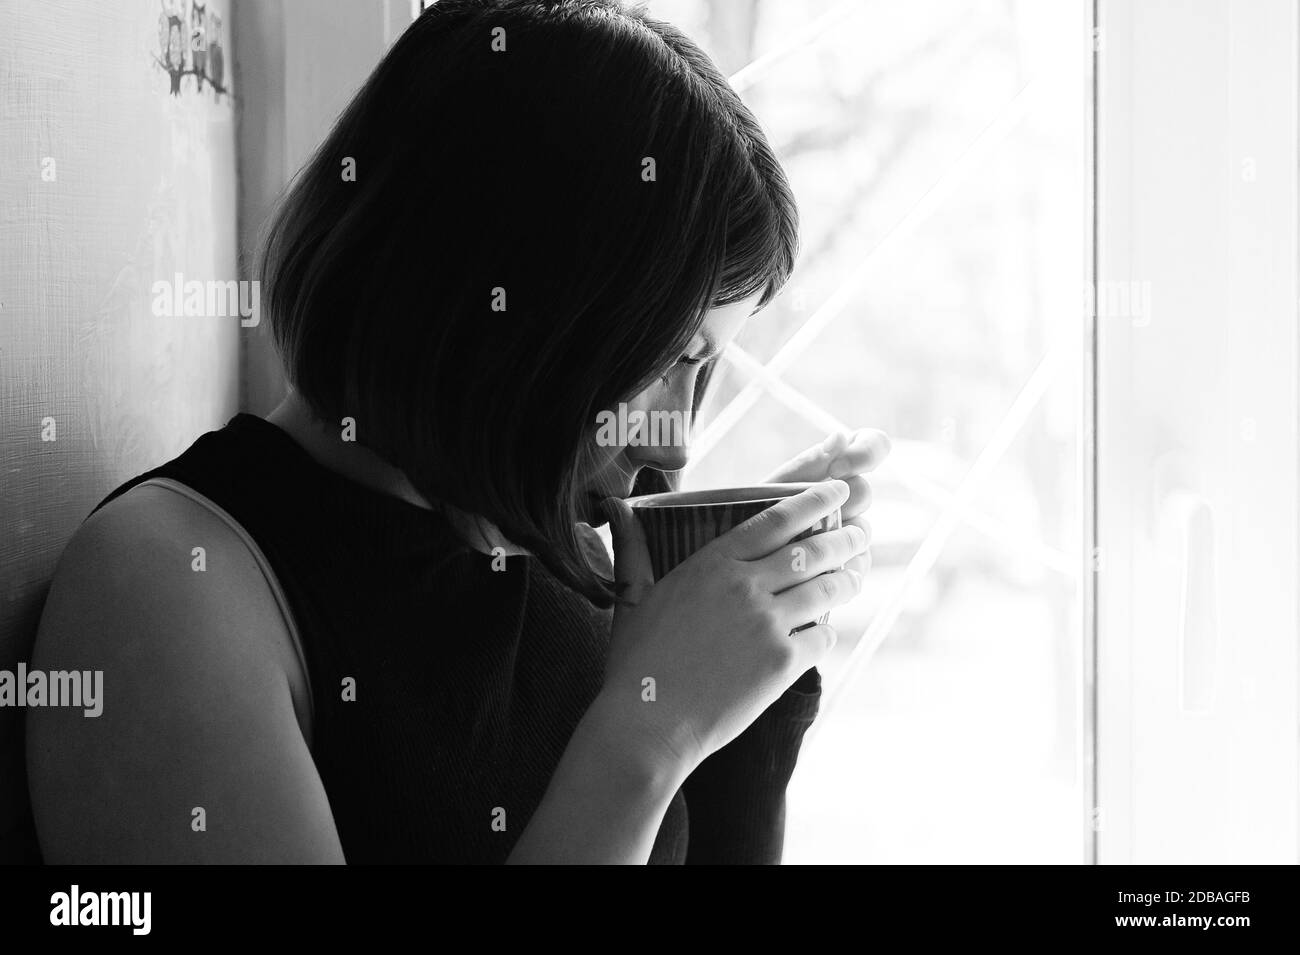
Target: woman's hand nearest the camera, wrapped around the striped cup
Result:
[[714, 635]]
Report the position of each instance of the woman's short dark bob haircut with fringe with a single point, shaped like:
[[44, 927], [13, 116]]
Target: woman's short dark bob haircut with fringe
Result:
[[500, 155]]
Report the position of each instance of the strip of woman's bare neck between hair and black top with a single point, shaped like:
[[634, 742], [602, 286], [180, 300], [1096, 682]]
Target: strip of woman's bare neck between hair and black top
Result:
[[352, 461]]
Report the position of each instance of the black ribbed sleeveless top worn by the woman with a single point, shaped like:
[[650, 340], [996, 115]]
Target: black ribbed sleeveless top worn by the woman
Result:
[[466, 683]]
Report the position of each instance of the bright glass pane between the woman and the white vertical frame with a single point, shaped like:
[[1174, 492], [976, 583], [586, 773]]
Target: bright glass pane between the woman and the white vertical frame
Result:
[[938, 154]]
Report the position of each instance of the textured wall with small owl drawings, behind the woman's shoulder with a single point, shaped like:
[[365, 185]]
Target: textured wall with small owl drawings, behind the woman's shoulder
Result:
[[141, 186]]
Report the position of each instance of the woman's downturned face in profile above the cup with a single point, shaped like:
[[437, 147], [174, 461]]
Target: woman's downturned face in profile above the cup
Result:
[[653, 431]]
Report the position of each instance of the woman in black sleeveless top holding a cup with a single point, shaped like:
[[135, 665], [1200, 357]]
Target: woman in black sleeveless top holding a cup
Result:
[[375, 627]]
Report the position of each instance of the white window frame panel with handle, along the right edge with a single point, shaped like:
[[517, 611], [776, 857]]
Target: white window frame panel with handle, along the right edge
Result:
[[1195, 748]]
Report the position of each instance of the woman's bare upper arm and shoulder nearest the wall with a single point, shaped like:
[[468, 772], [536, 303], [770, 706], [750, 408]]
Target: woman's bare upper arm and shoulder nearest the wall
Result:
[[197, 753]]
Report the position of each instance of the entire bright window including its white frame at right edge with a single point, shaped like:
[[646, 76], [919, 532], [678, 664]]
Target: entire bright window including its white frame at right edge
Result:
[[1080, 639]]
